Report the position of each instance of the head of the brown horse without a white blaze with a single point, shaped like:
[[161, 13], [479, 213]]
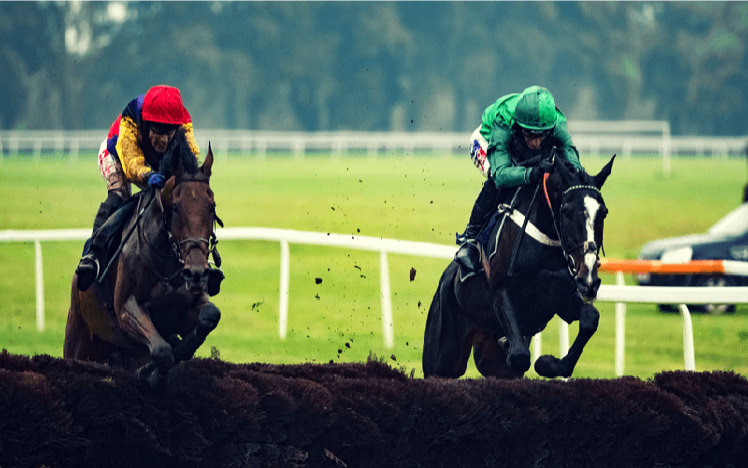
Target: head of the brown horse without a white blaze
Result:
[[189, 216]]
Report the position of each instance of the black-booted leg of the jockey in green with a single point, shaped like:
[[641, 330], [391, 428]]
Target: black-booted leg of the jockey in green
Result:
[[468, 255]]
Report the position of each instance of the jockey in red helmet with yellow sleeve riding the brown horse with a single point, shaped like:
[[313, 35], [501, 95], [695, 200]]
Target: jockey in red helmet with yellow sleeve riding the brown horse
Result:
[[136, 142]]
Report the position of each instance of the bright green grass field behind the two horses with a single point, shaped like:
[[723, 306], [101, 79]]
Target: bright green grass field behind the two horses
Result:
[[421, 198]]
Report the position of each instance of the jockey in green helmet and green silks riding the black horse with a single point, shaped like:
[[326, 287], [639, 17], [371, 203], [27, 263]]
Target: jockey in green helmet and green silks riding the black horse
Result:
[[516, 127]]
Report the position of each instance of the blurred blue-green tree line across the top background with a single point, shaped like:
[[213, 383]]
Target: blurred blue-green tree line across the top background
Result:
[[402, 65]]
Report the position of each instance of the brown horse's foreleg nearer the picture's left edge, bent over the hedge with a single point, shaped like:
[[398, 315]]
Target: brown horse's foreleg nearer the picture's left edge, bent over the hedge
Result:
[[138, 326]]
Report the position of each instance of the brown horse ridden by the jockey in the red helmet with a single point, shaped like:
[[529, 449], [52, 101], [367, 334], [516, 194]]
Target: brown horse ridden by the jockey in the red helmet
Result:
[[151, 309]]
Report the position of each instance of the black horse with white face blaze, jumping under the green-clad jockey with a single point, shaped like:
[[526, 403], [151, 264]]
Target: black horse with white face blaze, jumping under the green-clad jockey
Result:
[[541, 260]]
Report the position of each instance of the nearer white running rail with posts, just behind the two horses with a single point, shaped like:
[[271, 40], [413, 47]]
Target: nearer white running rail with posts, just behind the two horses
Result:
[[619, 293]]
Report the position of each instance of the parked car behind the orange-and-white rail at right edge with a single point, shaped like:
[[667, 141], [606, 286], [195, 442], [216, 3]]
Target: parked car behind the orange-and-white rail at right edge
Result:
[[726, 240]]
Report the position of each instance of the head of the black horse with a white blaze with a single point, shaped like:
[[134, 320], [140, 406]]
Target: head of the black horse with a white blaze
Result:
[[579, 214]]
